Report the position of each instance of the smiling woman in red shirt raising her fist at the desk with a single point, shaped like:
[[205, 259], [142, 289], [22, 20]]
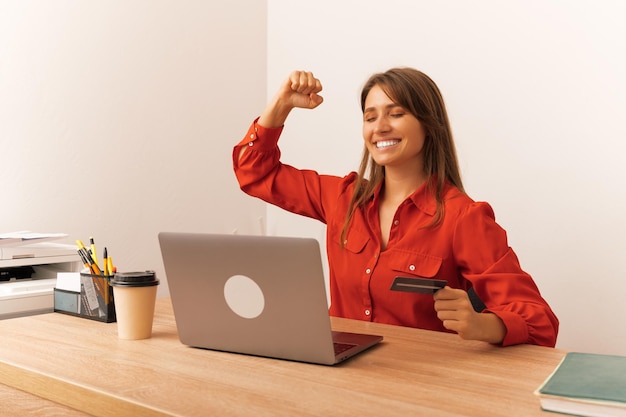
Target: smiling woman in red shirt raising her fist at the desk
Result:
[[404, 213]]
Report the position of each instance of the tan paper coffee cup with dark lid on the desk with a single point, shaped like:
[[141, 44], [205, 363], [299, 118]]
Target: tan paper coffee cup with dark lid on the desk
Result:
[[134, 295]]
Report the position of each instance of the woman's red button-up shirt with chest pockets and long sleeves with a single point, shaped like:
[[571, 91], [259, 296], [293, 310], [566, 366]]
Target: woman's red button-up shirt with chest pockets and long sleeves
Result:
[[467, 249]]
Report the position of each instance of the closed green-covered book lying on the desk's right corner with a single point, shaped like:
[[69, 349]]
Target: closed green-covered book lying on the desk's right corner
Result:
[[586, 384]]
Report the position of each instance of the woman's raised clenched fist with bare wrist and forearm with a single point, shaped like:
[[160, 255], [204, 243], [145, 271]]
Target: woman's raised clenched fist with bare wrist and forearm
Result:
[[299, 90]]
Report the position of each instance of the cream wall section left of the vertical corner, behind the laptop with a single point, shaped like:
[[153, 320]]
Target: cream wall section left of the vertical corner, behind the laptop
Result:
[[117, 119]]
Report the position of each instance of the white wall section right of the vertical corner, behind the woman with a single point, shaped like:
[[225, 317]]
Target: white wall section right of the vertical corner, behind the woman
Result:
[[536, 92]]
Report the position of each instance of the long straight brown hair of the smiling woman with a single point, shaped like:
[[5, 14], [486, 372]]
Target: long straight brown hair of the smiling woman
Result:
[[419, 95]]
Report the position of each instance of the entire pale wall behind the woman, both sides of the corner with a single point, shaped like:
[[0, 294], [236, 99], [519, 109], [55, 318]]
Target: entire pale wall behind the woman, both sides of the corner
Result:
[[117, 119]]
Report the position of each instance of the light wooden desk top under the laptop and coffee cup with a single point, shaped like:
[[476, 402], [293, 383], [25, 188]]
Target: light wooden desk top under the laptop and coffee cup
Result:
[[82, 364]]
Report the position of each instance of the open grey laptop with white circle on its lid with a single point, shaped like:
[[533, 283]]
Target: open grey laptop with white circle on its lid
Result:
[[256, 295]]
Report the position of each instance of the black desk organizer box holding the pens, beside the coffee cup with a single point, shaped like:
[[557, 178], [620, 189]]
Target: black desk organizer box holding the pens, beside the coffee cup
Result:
[[95, 300]]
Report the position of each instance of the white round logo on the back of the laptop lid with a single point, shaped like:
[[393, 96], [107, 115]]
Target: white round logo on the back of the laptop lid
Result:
[[244, 296]]
